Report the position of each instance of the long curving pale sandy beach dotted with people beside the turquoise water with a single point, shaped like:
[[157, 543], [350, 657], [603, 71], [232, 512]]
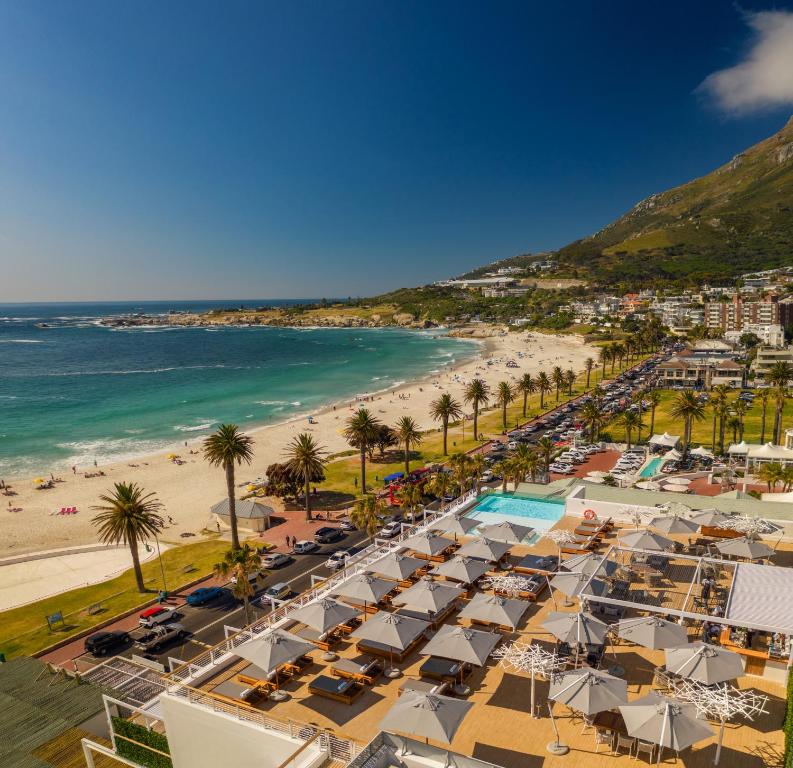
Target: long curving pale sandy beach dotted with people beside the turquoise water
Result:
[[187, 490]]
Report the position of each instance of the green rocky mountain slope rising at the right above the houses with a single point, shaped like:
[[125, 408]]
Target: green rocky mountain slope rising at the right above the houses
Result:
[[737, 219]]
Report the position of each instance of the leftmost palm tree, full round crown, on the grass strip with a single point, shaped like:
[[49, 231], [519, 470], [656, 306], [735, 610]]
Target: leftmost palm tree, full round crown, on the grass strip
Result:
[[128, 516]]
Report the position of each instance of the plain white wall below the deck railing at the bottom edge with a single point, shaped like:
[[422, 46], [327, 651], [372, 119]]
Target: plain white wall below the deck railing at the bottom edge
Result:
[[201, 738]]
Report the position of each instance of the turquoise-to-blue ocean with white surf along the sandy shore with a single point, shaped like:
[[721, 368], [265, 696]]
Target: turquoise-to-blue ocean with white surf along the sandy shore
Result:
[[77, 392]]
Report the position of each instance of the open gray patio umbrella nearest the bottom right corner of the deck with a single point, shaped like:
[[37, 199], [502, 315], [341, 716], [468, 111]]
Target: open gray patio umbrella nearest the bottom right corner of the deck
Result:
[[663, 721]]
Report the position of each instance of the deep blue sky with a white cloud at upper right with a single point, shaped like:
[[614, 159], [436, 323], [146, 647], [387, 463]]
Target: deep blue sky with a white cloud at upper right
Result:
[[307, 149]]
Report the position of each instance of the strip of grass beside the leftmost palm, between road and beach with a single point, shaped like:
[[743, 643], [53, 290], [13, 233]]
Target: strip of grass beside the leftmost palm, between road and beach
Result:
[[24, 630]]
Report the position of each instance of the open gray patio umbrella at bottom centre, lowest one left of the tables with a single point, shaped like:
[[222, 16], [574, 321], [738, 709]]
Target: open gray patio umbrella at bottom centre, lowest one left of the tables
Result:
[[428, 715]]
